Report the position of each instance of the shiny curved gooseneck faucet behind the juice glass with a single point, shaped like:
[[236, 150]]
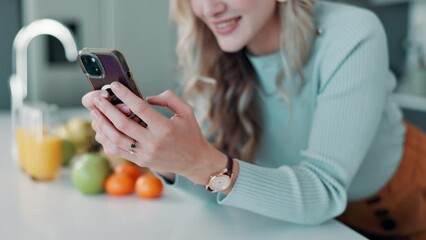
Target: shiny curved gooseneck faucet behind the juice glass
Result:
[[18, 80]]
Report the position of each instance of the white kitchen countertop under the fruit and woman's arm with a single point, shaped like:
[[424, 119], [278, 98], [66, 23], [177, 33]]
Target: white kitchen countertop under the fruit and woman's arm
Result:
[[56, 210]]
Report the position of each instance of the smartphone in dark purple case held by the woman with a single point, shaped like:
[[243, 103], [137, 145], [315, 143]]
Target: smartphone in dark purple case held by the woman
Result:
[[103, 66]]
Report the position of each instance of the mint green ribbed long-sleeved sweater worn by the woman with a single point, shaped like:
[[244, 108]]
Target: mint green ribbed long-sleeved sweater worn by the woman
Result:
[[342, 137]]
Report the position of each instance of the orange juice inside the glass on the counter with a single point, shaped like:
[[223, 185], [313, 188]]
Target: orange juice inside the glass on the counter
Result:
[[39, 156]]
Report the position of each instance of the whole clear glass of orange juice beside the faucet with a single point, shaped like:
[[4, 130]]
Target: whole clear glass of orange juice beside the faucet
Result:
[[39, 151]]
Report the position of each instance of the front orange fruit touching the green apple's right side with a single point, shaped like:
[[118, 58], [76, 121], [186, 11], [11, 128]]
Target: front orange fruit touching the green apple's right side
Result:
[[119, 184]]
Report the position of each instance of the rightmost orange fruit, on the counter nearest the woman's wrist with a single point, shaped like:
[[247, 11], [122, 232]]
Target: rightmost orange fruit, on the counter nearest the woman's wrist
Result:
[[148, 186]]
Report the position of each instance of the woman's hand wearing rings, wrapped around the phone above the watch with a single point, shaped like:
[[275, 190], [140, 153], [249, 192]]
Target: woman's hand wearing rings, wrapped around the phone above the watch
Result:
[[168, 145]]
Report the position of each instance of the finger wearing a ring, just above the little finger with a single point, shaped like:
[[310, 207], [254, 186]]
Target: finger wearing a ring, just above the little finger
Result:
[[104, 126]]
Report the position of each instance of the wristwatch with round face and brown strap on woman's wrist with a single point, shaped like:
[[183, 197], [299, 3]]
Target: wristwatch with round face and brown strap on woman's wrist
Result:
[[221, 180]]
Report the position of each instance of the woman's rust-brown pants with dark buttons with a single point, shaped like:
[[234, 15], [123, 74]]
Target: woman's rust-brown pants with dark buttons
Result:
[[397, 211]]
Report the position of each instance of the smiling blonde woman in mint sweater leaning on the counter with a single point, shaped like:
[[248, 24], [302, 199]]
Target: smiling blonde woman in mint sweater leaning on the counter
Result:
[[293, 101]]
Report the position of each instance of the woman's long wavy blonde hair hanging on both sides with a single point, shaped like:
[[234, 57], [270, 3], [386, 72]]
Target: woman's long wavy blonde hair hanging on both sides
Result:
[[227, 80]]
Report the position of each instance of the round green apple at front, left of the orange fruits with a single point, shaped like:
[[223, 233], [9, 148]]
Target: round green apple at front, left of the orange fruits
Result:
[[90, 172]]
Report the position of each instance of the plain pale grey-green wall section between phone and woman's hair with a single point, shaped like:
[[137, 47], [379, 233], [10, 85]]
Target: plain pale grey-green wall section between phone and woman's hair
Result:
[[145, 34]]
